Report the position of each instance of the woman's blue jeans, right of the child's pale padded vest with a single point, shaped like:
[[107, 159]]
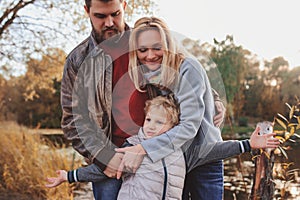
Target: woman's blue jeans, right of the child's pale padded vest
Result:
[[204, 182]]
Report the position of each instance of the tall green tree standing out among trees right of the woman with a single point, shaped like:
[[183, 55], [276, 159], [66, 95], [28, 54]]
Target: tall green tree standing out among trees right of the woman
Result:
[[233, 64]]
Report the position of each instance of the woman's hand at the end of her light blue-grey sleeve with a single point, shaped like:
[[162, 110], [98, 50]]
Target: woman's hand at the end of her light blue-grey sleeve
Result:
[[132, 159]]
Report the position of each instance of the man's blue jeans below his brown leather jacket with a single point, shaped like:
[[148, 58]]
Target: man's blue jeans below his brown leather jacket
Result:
[[107, 189]]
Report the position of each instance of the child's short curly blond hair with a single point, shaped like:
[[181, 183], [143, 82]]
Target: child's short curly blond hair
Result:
[[169, 104]]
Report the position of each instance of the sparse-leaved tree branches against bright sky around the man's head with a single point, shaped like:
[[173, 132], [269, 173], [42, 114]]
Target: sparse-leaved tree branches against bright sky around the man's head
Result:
[[28, 28]]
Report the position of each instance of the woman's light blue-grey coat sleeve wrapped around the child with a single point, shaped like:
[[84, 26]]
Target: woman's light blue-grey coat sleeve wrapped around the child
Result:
[[191, 92]]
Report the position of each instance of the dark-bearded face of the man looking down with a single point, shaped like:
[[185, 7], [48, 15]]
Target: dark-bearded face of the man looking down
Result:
[[107, 18]]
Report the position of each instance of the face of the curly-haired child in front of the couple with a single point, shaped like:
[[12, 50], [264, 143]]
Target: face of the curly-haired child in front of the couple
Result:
[[156, 122]]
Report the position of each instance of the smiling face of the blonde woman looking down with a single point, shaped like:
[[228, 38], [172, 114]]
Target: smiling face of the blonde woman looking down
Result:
[[149, 50]]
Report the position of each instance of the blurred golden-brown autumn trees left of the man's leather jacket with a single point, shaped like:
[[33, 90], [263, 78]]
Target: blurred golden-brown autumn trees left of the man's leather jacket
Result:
[[34, 97]]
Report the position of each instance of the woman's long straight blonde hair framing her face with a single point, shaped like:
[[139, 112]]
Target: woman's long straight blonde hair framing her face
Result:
[[172, 55]]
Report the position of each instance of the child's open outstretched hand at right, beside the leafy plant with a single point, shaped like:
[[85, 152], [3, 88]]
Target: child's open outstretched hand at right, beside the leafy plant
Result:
[[263, 141]]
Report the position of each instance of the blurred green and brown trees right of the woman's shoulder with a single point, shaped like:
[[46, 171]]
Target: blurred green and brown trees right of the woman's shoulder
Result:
[[252, 88]]
